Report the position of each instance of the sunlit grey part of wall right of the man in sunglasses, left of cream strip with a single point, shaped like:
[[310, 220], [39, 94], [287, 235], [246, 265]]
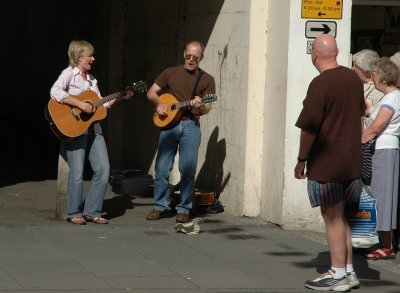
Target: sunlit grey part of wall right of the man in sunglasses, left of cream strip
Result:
[[223, 149]]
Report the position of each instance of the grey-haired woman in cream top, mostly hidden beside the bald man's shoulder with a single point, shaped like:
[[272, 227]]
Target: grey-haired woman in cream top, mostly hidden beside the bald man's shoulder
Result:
[[362, 62]]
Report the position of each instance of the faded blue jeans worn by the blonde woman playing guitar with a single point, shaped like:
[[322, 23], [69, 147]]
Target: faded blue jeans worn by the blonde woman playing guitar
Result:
[[76, 150]]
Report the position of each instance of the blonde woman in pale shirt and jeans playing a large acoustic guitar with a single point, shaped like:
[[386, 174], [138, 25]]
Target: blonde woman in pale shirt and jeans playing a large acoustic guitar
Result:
[[72, 81]]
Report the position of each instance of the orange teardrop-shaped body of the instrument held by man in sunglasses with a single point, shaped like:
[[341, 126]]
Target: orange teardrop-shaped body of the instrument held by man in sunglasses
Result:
[[173, 114]]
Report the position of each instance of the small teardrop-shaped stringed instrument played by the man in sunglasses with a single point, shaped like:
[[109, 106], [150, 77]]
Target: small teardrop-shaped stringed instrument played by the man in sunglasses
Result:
[[175, 109]]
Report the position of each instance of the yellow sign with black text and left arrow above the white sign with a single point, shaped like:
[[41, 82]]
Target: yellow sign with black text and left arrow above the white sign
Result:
[[321, 9]]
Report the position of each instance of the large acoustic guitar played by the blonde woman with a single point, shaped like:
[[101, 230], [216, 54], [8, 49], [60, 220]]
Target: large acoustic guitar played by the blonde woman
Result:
[[68, 122]]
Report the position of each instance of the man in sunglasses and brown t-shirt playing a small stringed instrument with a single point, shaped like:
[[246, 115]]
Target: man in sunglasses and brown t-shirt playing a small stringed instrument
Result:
[[186, 82]]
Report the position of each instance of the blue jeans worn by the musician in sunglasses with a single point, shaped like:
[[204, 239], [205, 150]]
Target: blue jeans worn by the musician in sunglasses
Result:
[[185, 137]]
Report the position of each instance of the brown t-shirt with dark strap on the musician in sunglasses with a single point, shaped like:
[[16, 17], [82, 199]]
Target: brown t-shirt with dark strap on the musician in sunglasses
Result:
[[180, 83]]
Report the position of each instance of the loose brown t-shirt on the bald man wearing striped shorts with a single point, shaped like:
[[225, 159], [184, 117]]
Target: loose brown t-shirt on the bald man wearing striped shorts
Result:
[[332, 110]]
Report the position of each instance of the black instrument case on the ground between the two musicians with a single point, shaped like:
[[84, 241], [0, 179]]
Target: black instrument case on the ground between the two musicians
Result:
[[131, 182]]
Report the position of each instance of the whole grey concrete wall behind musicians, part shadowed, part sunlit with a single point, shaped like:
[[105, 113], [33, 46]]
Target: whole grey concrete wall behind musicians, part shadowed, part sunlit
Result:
[[148, 36]]
